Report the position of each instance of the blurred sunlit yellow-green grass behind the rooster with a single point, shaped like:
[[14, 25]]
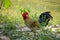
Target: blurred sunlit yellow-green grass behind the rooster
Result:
[[35, 6]]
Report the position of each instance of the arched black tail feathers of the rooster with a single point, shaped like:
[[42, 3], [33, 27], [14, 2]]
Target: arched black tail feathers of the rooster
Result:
[[44, 18]]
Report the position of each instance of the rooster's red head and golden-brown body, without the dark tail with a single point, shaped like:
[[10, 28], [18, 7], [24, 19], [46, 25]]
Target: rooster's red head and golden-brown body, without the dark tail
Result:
[[32, 24]]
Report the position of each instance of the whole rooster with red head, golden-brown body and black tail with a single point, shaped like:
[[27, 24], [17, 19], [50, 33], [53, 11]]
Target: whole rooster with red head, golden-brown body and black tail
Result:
[[44, 19]]
